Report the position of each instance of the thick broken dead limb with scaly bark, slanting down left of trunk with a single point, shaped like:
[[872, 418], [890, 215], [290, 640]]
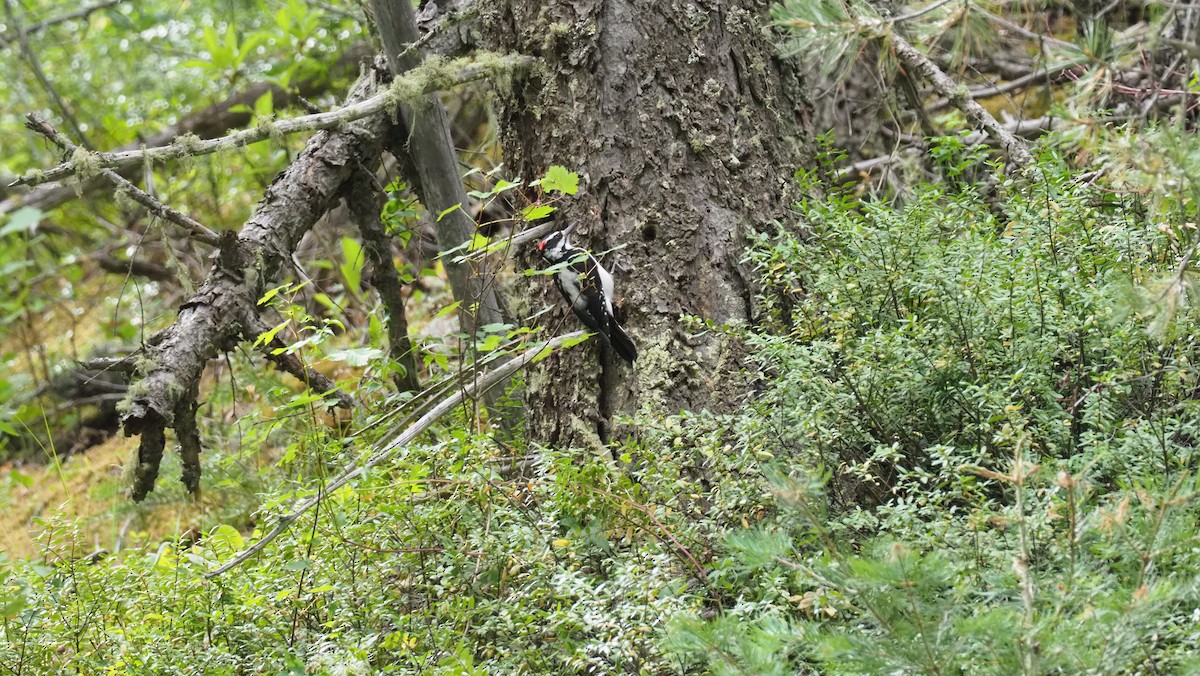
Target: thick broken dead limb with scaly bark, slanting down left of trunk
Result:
[[219, 315]]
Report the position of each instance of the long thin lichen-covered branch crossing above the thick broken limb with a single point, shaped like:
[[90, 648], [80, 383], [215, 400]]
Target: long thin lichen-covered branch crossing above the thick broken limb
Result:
[[433, 76]]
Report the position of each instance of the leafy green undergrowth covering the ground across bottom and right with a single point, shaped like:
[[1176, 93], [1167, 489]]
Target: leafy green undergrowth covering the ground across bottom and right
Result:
[[973, 450]]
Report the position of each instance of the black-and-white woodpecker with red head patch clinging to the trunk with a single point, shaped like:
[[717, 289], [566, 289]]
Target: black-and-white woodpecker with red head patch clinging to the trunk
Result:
[[589, 288]]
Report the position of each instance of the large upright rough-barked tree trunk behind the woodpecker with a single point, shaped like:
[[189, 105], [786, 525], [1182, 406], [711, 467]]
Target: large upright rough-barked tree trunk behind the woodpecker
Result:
[[686, 130]]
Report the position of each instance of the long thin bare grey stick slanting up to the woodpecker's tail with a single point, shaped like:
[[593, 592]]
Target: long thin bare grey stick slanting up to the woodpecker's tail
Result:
[[389, 448]]
